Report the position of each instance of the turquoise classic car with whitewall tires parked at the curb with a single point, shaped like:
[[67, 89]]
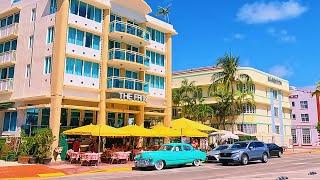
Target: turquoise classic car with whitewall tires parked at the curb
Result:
[[170, 155]]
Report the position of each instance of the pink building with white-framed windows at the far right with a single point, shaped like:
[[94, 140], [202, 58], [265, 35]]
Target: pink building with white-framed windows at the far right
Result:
[[304, 117]]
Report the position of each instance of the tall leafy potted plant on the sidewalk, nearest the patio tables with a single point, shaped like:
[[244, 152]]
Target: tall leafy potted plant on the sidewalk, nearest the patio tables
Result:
[[43, 141]]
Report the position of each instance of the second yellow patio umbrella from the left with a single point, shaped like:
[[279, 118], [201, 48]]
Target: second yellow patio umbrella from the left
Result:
[[138, 131]]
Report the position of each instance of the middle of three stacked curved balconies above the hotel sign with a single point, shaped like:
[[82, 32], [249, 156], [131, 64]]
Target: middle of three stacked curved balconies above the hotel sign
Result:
[[129, 59]]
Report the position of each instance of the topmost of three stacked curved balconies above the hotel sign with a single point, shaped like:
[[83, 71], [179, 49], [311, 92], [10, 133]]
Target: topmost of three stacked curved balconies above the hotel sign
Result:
[[129, 33]]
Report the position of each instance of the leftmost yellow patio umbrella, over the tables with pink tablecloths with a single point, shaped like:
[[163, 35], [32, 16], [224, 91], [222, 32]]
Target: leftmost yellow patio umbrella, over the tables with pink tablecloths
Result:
[[96, 130]]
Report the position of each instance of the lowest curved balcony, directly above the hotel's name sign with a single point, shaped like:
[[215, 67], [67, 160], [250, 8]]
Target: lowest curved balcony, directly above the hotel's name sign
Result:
[[135, 85]]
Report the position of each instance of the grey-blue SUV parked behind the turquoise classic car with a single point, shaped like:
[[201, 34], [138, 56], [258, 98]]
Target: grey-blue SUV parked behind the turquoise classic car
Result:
[[245, 151]]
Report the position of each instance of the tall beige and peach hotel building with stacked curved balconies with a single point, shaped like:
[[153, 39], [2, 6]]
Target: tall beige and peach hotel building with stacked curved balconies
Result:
[[68, 63]]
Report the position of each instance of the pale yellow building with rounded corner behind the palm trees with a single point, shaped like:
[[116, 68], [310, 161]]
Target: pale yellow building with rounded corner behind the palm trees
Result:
[[269, 119]]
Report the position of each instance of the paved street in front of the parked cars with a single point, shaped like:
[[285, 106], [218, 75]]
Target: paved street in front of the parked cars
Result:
[[293, 166]]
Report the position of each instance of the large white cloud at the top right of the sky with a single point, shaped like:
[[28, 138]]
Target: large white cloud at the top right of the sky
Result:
[[264, 12]]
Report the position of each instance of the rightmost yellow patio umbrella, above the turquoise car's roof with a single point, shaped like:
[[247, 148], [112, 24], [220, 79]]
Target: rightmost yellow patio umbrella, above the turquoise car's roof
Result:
[[183, 123]]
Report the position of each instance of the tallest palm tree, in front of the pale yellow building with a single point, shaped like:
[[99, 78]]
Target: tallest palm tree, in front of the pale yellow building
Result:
[[225, 86]]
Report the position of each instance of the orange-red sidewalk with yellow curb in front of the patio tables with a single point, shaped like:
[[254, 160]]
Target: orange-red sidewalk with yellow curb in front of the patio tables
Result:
[[55, 169]]
